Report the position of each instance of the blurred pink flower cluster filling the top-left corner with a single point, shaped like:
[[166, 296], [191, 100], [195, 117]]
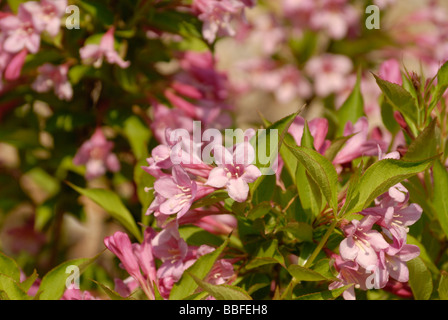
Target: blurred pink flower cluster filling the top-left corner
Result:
[[20, 34]]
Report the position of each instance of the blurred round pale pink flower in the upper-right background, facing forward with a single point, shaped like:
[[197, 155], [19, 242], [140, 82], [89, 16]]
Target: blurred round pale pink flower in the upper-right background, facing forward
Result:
[[329, 72]]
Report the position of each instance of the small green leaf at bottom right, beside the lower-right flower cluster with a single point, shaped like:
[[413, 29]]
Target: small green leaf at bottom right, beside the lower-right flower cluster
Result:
[[420, 279]]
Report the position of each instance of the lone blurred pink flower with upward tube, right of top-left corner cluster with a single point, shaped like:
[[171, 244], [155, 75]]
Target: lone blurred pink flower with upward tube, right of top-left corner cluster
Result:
[[95, 54]]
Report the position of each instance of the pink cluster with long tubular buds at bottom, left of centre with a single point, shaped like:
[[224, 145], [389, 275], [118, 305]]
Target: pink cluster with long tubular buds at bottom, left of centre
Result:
[[175, 256]]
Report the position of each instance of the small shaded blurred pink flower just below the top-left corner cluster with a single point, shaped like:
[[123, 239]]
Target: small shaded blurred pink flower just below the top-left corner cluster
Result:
[[55, 77]]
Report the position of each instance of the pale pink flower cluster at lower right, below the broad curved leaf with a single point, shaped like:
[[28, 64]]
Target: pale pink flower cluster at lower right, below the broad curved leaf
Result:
[[375, 251]]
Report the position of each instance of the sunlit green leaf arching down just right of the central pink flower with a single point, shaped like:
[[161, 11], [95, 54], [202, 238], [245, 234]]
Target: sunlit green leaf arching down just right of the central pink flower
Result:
[[321, 171]]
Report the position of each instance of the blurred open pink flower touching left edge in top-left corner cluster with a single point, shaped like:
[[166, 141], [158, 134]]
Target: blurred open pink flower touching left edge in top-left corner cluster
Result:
[[20, 32]]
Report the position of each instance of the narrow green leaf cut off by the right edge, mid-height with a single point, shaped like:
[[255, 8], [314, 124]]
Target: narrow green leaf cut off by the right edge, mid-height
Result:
[[440, 198]]
